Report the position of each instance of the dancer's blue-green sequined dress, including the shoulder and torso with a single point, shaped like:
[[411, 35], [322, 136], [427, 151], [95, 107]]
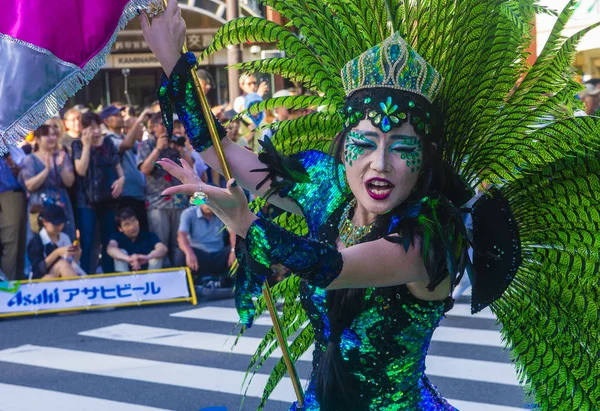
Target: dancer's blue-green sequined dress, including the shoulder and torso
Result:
[[386, 344]]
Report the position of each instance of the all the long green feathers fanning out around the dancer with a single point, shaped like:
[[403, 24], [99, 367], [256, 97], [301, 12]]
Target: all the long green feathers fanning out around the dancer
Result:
[[522, 136]]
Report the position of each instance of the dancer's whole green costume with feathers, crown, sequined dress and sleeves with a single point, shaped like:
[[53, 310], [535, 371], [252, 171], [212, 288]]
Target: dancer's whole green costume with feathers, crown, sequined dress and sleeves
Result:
[[535, 236]]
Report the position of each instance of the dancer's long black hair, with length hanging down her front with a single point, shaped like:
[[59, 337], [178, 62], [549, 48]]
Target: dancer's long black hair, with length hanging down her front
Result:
[[336, 388]]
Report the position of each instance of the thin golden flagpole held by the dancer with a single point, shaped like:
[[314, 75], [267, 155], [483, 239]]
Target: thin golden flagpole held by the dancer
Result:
[[281, 338]]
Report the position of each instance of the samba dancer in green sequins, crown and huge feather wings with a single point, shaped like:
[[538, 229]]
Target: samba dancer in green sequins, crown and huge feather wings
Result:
[[373, 232]]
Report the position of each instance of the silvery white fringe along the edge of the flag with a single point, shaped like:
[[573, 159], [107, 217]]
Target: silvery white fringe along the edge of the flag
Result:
[[53, 101]]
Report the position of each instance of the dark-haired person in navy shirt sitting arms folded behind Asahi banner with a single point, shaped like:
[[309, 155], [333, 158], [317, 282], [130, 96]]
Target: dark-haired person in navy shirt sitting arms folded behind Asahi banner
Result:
[[132, 249]]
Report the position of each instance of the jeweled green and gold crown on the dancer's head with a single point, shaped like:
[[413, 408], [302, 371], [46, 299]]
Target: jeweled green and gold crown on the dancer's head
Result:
[[392, 64]]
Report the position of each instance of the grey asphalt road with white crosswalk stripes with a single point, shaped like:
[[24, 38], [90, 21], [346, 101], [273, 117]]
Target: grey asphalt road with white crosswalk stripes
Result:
[[179, 357]]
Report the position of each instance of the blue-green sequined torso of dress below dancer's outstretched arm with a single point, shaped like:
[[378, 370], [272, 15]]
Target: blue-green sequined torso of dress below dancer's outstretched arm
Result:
[[384, 348]]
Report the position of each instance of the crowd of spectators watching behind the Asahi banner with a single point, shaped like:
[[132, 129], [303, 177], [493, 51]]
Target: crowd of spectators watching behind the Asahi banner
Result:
[[83, 193]]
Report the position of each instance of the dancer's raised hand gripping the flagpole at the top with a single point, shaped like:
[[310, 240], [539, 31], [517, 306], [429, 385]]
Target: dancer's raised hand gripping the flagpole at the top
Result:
[[165, 35]]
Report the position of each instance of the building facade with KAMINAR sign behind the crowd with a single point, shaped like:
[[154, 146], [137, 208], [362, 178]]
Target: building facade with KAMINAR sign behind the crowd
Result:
[[131, 73]]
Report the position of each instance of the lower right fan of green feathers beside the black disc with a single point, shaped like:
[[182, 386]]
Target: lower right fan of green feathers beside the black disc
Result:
[[549, 313]]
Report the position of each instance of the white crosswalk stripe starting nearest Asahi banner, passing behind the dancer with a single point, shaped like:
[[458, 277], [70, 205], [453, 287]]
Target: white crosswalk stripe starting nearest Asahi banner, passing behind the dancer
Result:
[[442, 334]]
